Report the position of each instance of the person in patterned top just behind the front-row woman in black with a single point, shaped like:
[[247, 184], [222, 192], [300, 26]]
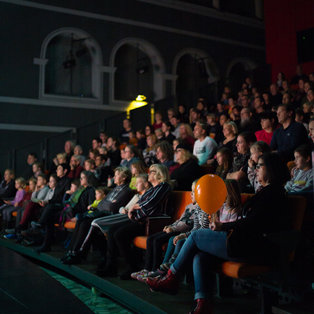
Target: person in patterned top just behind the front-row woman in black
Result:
[[257, 149]]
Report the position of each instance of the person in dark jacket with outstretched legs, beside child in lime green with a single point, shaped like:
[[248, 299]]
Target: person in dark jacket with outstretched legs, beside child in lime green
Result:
[[115, 199]]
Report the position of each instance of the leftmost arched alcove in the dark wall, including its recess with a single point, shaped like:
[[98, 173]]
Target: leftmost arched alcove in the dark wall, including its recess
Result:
[[70, 66]]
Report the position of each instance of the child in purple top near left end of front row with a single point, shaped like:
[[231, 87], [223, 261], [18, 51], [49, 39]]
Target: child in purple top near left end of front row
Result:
[[9, 207]]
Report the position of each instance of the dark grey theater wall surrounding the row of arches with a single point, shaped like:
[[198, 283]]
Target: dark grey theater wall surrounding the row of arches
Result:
[[23, 29]]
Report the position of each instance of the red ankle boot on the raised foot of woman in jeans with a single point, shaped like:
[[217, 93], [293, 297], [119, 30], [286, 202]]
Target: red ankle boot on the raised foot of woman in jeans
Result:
[[168, 283]]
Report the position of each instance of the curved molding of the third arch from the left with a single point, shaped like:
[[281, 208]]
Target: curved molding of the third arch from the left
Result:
[[211, 67]]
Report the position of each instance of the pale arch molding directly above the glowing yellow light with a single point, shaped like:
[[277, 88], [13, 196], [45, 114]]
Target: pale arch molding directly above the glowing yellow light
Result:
[[157, 63]]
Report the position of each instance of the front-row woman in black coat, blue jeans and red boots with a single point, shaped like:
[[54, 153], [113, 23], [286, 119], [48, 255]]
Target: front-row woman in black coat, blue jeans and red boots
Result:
[[263, 213]]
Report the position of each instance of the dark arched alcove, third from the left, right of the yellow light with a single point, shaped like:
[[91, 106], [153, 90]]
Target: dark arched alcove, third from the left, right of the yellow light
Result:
[[197, 75]]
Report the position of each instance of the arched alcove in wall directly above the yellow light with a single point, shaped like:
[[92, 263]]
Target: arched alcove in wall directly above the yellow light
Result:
[[139, 69]]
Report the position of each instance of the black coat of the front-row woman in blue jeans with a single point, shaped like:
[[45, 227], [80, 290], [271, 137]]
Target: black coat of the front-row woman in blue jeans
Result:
[[264, 213]]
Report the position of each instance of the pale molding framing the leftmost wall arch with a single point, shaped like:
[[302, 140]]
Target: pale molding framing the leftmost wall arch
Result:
[[97, 67]]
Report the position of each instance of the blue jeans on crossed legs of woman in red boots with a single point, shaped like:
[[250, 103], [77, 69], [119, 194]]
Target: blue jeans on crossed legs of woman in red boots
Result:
[[195, 248]]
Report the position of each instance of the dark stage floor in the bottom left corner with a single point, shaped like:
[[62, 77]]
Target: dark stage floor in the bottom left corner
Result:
[[26, 288]]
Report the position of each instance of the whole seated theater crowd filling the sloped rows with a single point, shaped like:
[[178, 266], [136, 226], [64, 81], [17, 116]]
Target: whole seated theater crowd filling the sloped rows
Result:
[[258, 141]]
